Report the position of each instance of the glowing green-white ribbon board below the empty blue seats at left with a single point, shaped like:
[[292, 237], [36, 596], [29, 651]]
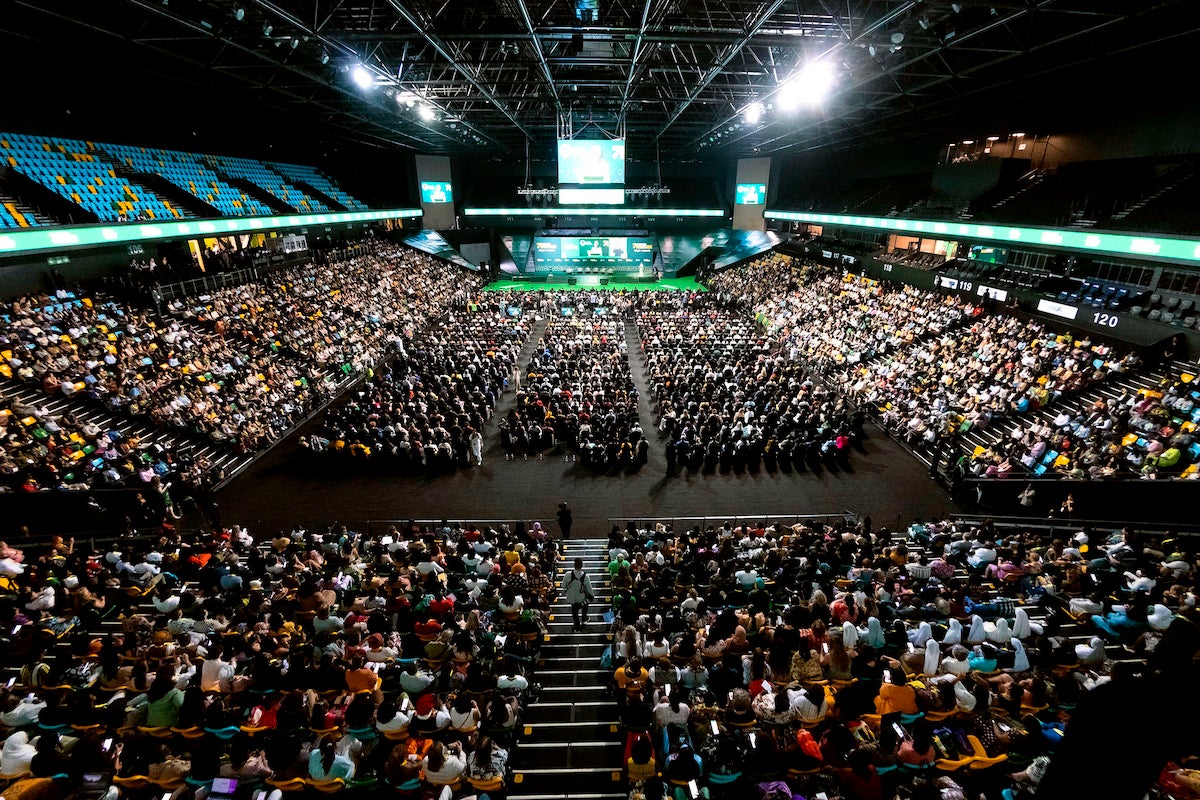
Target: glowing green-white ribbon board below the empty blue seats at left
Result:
[[35, 239]]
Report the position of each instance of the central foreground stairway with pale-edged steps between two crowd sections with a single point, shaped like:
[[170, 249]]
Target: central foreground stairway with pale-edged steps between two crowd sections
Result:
[[571, 747]]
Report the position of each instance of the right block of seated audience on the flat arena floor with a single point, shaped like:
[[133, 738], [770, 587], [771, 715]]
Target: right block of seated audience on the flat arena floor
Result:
[[729, 400]]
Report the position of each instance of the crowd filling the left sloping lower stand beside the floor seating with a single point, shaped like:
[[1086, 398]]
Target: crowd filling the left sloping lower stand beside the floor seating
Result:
[[238, 369]]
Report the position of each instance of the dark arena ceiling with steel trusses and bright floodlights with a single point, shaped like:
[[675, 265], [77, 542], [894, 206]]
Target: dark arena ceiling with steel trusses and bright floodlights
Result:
[[487, 77]]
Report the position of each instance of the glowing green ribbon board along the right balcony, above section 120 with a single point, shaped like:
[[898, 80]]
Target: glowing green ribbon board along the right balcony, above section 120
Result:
[[1088, 242]]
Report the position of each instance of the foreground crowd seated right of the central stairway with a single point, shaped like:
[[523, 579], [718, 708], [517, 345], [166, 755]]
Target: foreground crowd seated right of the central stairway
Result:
[[848, 661]]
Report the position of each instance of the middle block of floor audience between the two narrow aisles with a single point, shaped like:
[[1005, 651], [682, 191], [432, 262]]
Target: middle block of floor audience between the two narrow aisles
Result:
[[578, 390]]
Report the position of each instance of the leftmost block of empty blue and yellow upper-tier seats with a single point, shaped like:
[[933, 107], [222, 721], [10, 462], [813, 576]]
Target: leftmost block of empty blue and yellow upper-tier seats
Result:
[[75, 171]]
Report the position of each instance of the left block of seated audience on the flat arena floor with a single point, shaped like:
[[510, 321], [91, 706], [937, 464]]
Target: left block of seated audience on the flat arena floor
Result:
[[425, 411]]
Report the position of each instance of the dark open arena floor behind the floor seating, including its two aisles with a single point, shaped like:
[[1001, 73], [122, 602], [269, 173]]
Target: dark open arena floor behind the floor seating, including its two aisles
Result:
[[283, 490]]
